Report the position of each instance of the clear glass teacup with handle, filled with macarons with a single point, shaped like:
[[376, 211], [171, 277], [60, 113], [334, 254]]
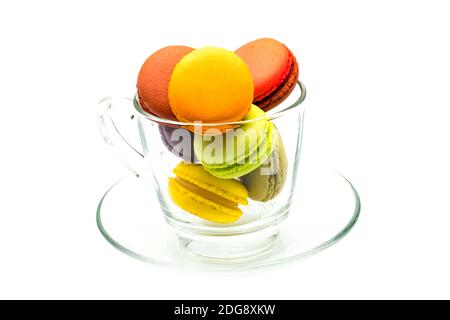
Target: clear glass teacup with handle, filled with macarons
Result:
[[269, 176]]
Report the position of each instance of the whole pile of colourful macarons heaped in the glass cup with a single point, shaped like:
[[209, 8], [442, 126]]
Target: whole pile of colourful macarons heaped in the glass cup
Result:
[[209, 91]]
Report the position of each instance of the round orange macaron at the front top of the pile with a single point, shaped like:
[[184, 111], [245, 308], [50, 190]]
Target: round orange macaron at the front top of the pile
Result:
[[211, 85]]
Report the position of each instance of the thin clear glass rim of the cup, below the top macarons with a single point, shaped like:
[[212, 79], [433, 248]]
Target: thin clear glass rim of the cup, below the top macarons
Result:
[[270, 115]]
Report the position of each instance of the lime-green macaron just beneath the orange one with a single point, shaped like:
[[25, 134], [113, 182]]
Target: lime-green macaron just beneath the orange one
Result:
[[239, 151]]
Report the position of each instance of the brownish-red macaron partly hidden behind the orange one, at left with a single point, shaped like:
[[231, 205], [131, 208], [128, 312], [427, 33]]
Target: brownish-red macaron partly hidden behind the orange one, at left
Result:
[[153, 80]]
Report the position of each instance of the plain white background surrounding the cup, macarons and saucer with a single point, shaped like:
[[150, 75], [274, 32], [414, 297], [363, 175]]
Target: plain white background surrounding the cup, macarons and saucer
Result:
[[378, 77]]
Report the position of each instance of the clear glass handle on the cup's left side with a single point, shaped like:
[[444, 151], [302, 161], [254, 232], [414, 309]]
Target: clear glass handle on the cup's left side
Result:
[[130, 156]]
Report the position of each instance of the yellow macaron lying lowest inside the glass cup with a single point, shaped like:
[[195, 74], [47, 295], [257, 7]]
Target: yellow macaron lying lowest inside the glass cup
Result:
[[197, 192]]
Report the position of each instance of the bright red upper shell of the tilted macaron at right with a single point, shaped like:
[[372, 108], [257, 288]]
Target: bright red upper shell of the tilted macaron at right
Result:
[[269, 62]]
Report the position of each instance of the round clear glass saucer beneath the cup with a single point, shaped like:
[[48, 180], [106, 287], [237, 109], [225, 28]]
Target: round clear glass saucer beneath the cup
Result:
[[325, 208]]
